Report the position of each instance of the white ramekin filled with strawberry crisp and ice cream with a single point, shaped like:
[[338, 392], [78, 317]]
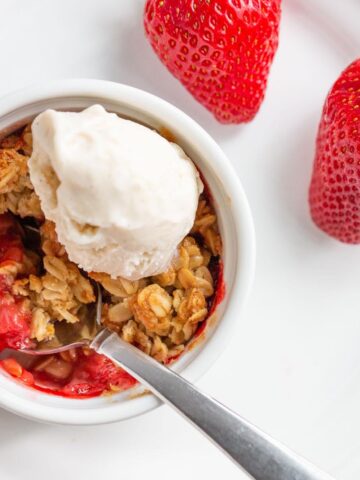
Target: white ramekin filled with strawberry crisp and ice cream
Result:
[[165, 300]]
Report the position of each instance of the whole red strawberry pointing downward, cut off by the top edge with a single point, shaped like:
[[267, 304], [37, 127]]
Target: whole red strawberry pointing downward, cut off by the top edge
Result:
[[221, 50]]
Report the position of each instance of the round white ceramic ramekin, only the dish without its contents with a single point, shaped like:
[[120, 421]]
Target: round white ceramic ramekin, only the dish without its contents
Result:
[[235, 224]]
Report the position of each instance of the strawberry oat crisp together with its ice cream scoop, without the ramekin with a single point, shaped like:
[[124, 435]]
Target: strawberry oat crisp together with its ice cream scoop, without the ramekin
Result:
[[115, 203]]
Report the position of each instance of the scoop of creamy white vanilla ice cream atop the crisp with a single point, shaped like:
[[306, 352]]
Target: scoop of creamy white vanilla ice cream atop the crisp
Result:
[[122, 197]]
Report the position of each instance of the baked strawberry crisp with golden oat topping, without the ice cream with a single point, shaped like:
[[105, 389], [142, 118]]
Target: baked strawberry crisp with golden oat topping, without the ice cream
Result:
[[39, 286]]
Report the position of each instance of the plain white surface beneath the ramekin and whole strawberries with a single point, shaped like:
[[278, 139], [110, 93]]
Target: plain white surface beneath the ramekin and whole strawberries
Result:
[[293, 367]]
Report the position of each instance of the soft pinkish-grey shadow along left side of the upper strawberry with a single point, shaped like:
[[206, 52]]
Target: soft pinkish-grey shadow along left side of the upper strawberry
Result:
[[136, 64]]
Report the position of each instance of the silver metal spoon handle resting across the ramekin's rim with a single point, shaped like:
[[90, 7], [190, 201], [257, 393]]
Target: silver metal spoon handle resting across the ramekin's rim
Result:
[[258, 454]]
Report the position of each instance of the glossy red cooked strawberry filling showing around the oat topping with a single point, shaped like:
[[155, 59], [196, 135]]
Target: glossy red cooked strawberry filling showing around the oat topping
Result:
[[91, 374]]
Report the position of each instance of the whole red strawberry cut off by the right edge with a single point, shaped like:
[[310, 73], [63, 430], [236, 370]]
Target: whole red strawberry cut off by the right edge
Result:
[[335, 185]]
